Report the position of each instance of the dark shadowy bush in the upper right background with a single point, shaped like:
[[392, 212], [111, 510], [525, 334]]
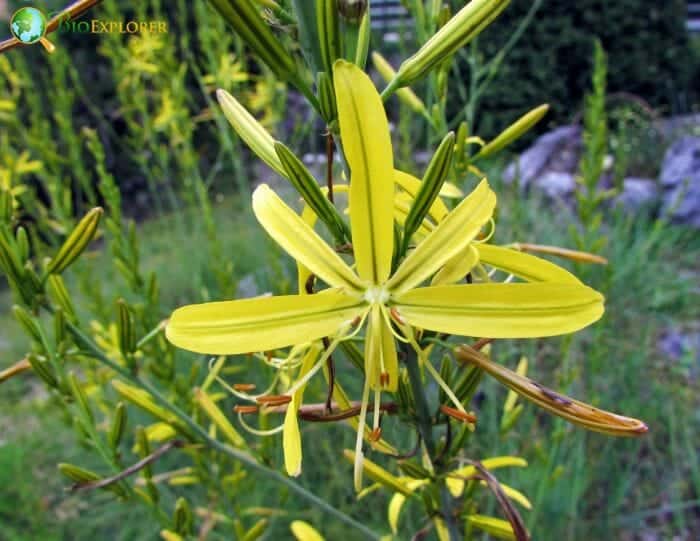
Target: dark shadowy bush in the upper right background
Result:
[[647, 43]]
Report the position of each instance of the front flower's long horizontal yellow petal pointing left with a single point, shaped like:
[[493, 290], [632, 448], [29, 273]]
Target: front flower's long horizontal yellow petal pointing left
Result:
[[260, 324]]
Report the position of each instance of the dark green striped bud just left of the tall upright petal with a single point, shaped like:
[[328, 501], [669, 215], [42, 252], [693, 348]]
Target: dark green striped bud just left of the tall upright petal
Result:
[[309, 189]]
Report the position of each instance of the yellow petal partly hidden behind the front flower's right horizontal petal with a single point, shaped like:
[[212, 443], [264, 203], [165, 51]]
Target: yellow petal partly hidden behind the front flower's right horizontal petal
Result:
[[528, 267]]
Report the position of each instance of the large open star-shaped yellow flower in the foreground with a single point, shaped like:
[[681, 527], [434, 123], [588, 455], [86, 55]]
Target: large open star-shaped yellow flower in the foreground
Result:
[[373, 292]]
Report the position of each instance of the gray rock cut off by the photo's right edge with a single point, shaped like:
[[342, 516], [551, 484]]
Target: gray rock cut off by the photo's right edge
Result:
[[680, 179]]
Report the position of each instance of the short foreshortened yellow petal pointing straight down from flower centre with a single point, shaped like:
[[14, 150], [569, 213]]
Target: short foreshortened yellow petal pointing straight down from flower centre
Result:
[[380, 353]]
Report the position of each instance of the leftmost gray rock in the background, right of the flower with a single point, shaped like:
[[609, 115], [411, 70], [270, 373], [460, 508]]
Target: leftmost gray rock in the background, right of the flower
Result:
[[539, 156]]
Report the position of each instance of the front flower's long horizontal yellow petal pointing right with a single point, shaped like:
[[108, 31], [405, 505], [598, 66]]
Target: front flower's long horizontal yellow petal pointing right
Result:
[[502, 310]]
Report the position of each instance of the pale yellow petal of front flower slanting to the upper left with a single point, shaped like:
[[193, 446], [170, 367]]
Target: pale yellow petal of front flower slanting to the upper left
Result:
[[301, 241]]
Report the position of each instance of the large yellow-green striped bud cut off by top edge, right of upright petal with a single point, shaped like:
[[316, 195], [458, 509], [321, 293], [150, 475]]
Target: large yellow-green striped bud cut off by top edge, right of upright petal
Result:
[[459, 30]]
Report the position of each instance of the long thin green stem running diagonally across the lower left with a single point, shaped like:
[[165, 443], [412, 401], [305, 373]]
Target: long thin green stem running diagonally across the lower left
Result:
[[85, 342]]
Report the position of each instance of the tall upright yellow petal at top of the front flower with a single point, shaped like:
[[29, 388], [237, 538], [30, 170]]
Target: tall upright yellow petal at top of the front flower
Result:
[[367, 145]]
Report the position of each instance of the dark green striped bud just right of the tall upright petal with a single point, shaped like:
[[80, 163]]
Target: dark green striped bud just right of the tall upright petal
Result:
[[435, 176]]
